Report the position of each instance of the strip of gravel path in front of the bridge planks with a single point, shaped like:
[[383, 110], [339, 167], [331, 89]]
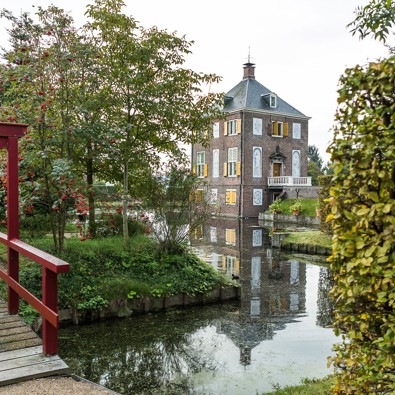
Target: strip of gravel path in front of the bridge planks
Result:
[[55, 386]]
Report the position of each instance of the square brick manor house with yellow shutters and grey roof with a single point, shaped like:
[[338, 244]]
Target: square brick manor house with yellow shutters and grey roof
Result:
[[257, 153]]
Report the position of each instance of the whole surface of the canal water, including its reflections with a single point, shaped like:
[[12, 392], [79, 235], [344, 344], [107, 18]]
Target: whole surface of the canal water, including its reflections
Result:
[[276, 334]]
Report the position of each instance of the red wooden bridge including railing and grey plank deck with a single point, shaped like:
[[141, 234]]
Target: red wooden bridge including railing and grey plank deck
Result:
[[26, 359]]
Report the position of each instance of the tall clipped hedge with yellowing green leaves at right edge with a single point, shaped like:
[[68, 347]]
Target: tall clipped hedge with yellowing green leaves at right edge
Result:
[[363, 217]]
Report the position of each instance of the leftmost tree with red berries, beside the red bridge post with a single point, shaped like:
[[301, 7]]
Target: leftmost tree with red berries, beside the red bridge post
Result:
[[40, 87]]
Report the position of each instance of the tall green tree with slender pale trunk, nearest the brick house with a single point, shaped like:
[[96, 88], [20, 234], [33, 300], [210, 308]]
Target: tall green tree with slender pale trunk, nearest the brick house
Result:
[[153, 103]]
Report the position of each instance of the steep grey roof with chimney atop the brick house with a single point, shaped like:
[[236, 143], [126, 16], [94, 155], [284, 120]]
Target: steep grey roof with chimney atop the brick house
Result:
[[250, 94]]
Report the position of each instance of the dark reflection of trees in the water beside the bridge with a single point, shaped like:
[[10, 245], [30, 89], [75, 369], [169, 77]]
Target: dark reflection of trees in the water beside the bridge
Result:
[[157, 361]]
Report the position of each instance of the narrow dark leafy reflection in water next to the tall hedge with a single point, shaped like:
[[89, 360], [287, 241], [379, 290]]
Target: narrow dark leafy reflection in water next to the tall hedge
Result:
[[325, 302]]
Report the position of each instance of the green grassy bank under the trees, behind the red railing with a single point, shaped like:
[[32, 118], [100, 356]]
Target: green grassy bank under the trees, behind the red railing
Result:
[[102, 270]]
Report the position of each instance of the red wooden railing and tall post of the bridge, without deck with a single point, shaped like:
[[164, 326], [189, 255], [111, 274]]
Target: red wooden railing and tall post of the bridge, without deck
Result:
[[51, 266]]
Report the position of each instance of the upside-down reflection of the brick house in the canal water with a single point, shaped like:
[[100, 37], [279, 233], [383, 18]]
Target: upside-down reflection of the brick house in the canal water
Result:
[[272, 289]]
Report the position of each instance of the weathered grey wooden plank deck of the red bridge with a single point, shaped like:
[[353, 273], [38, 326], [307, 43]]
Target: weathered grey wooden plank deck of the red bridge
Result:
[[21, 352]]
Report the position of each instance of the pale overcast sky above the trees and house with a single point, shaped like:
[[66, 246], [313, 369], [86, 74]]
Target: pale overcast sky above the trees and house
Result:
[[299, 47]]
